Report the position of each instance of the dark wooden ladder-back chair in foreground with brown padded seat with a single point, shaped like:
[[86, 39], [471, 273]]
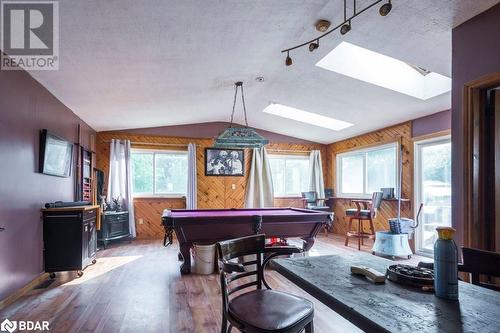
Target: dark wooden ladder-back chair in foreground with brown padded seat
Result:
[[258, 310]]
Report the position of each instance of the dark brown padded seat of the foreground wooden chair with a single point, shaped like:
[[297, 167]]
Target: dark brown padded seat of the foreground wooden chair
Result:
[[269, 309]]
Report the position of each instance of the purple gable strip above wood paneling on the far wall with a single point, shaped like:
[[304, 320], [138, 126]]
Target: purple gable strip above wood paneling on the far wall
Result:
[[208, 130]]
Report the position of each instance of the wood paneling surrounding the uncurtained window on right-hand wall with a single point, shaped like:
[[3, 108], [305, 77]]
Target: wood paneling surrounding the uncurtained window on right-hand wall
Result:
[[388, 209]]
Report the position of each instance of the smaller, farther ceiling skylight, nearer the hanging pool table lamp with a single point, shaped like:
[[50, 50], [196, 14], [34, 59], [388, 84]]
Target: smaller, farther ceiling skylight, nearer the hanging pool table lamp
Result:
[[306, 117]]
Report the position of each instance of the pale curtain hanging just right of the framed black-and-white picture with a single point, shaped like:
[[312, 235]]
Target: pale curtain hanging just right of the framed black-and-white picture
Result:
[[260, 191]]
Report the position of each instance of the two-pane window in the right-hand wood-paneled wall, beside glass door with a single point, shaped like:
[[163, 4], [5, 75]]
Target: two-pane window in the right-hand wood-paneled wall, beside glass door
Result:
[[362, 172]]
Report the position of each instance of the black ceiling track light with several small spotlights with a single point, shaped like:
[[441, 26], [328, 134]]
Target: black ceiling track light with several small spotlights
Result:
[[345, 27]]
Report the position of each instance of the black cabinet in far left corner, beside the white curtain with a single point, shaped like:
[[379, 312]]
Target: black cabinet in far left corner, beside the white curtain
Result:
[[114, 226]]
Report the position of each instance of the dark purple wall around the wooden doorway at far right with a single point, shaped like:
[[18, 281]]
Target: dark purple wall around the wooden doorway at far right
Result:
[[476, 53]]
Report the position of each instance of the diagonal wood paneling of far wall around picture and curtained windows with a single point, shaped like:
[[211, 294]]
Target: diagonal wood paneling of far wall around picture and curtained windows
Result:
[[213, 192]]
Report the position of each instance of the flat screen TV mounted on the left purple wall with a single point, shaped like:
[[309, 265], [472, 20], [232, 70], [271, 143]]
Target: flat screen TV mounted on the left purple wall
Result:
[[56, 155]]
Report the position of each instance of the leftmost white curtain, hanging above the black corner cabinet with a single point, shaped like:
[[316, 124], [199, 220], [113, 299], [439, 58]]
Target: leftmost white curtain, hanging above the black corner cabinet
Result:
[[120, 178]]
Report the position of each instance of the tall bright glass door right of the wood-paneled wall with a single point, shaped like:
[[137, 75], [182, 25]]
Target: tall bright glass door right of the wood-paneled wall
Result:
[[433, 189]]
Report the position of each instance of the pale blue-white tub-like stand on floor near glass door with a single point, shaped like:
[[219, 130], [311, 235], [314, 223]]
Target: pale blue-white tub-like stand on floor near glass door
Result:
[[393, 245]]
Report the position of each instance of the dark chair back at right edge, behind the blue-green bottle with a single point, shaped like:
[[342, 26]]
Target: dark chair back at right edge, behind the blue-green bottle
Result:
[[480, 262]]
